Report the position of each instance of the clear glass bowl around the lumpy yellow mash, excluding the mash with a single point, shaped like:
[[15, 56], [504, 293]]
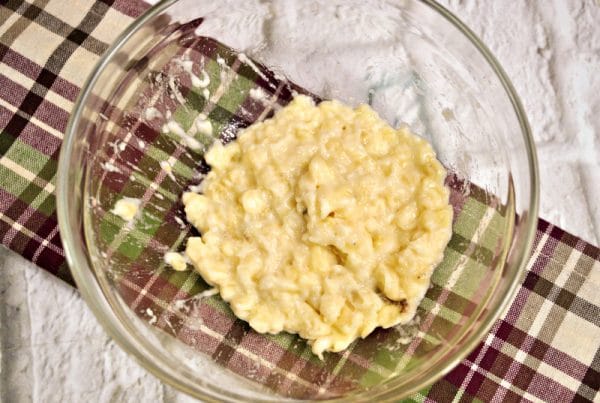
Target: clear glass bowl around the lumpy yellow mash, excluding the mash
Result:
[[412, 61]]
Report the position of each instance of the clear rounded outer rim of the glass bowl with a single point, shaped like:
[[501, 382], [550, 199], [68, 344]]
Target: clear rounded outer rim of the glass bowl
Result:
[[90, 291]]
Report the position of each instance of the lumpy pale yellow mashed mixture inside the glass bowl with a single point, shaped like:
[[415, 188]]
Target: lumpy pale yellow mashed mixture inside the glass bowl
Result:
[[322, 221]]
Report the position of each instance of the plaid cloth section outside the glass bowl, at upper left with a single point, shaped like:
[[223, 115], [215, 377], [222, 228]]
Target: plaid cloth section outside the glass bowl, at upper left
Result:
[[47, 49]]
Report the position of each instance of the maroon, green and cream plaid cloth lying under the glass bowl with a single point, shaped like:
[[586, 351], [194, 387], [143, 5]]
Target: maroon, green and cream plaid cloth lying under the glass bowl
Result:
[[528, 355]]
